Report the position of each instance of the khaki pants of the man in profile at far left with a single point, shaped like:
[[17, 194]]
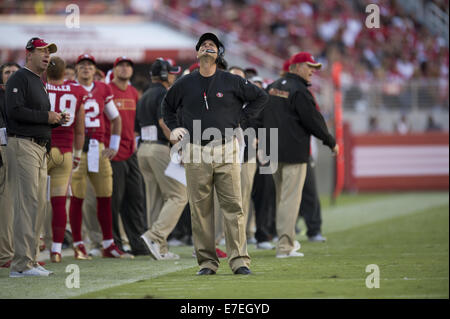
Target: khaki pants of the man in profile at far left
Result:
[[28, 189]]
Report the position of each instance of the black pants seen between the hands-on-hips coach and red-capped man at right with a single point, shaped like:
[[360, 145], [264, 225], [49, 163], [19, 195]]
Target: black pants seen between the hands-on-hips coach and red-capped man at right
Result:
[[263, 196]]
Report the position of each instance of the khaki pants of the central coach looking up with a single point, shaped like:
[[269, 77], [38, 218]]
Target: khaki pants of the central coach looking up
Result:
[[223, 176]]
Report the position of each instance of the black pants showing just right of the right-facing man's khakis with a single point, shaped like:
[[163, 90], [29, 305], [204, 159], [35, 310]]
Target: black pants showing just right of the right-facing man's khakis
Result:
[[310, 205]]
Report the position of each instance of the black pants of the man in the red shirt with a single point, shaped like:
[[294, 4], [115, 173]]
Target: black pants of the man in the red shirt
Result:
[[128, 200]]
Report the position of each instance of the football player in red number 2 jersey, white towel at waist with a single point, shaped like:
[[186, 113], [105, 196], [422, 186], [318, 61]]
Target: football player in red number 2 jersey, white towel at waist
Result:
[[95, 159]]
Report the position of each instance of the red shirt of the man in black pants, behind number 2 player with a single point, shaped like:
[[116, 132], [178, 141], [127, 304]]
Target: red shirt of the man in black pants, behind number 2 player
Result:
[[125, 102]]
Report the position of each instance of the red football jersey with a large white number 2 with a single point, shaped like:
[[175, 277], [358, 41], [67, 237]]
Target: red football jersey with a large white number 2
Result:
[[98, 97]]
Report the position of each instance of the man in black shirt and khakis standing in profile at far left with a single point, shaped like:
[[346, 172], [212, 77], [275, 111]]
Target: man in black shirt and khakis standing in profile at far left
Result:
[[29, 121]]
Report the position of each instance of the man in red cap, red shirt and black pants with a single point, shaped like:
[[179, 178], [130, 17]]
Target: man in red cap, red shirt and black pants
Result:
[[128, 196]]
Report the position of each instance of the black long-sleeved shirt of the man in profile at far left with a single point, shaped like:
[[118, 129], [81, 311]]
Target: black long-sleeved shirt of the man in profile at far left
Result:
[[27, 105]]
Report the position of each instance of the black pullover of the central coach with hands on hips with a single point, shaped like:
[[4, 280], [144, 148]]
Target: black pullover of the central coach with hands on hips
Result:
[[225, 95]]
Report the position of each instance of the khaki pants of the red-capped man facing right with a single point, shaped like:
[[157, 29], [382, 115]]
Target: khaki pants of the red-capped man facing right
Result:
[[289, 180]]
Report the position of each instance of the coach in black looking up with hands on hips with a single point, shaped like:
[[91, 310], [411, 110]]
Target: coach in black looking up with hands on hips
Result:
[[210, 102]]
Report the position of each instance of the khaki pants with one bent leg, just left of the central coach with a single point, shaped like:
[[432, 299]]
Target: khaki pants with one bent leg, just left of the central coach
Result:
[[166, 196]]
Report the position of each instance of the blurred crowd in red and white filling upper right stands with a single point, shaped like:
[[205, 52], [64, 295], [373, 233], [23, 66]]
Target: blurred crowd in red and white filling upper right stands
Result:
[[401, 48]]
